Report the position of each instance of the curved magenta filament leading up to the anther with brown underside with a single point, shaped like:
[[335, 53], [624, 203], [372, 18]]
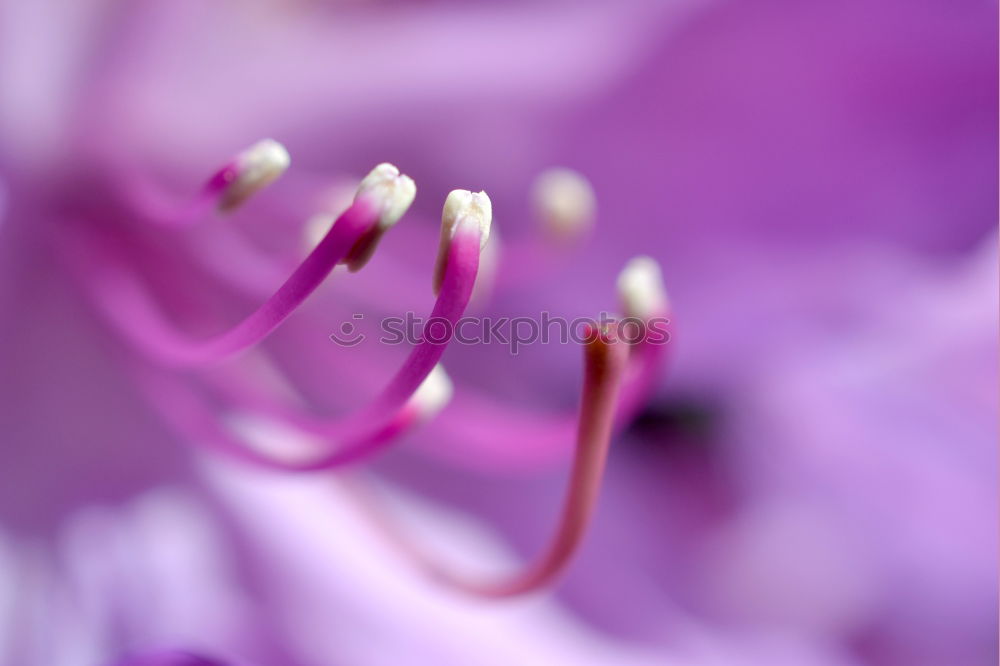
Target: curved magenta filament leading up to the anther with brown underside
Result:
[[130, 308]]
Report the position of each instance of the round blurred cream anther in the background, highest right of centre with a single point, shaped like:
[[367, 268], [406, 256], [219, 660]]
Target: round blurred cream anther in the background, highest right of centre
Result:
[[564, 202]]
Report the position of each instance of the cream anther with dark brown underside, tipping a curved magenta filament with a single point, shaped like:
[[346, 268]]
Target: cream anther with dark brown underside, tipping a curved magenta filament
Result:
[[390, 194]]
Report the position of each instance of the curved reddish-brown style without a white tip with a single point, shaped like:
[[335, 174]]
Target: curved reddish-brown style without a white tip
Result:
[[604, 364]]
